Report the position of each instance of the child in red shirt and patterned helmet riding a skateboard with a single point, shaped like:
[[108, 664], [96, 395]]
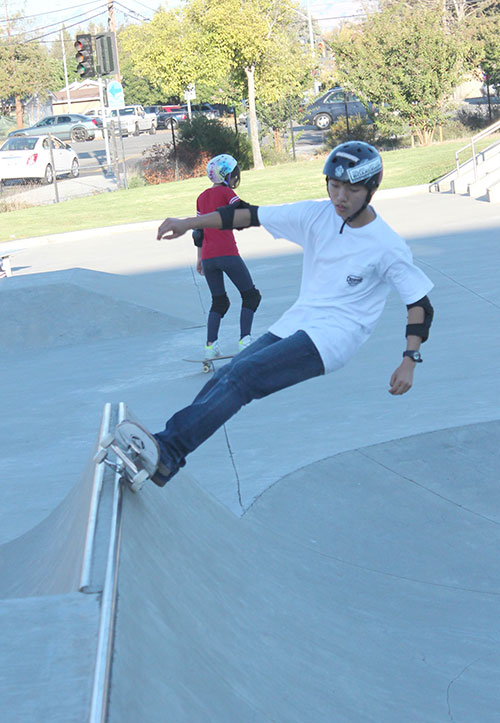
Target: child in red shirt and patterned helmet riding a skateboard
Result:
[[218, 255]]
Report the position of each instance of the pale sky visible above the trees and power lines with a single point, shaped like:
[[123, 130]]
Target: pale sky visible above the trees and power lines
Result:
[[72, 13]]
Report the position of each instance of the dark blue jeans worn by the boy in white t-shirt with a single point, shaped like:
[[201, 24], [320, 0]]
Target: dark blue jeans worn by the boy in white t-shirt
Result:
[[264, 367]]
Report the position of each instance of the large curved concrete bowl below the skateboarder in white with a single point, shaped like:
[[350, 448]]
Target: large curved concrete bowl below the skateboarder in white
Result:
[[363, 587]]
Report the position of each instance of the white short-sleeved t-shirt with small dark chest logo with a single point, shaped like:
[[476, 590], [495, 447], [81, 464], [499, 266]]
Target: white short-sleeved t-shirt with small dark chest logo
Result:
[[346, 277]]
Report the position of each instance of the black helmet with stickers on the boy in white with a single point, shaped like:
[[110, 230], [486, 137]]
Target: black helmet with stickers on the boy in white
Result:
[[355, 162]]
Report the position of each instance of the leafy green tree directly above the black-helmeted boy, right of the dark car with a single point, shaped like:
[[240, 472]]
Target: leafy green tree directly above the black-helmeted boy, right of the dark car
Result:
[[406, 60]]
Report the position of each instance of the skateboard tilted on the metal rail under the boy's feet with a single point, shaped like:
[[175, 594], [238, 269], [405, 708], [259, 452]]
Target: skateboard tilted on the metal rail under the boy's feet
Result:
[[136, 451]]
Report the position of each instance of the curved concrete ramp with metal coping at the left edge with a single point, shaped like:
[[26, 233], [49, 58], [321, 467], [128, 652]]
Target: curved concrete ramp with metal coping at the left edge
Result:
[[52, 584]]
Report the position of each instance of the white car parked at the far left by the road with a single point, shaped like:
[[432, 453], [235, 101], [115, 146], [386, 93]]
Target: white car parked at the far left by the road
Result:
[[24, 157]]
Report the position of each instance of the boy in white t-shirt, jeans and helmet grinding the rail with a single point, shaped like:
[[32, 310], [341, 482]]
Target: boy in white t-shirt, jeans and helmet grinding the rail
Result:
[[352, 259]]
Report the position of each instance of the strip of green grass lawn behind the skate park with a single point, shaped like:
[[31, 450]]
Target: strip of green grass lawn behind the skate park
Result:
[[275, 184]]
